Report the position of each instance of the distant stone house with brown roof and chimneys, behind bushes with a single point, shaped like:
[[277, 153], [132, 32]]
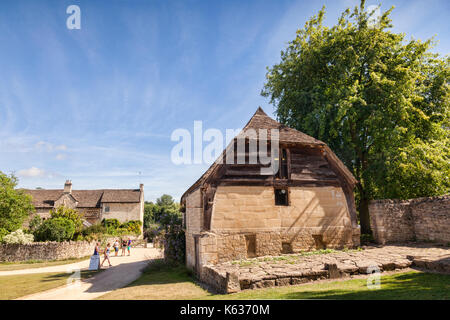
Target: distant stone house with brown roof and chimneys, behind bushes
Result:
[[95, 205]]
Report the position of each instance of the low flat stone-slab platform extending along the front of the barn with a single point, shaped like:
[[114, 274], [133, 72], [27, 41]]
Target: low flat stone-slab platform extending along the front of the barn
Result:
[[295, 269]]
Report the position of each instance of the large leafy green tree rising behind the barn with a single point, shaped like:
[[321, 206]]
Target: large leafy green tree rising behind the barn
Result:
[[379, 101]]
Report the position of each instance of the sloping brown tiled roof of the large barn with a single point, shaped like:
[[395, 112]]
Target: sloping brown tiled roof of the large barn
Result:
[[260, 120]]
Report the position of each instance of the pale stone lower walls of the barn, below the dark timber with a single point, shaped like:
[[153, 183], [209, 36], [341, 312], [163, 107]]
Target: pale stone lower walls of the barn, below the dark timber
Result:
[[317, 218]]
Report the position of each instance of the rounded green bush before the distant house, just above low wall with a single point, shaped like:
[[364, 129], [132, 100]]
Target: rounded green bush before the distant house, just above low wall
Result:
[[55, 229]]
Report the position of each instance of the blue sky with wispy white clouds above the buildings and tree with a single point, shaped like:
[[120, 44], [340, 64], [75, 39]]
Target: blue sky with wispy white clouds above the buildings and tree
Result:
[[98, 105]]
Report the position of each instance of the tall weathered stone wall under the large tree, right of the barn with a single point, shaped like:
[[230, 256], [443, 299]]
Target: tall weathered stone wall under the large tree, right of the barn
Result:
[[422, 219]]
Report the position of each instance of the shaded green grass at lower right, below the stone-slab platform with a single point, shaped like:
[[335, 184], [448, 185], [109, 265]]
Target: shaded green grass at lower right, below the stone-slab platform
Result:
[[412, 285]]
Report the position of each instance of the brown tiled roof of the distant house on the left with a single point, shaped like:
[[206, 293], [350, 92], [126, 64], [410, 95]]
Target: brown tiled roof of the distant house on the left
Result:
[[42, 198]]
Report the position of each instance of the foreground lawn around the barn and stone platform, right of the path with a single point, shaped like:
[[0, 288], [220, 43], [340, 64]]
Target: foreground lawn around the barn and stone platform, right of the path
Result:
[[160, 281]]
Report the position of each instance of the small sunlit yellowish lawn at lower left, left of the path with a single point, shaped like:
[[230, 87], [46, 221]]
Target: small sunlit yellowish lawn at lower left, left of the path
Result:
[[12, 287]]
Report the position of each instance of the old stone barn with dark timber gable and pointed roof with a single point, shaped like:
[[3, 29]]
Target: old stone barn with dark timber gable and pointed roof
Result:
[[234, 212]]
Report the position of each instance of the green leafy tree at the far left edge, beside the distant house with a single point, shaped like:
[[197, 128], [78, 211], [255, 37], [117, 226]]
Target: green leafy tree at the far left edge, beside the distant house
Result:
[[15, 205]]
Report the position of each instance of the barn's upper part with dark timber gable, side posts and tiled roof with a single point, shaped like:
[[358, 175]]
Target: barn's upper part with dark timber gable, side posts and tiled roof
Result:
[[310, 163]]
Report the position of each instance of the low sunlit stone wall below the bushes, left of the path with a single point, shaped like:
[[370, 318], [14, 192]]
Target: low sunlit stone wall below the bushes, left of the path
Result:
[[50, 250]]
